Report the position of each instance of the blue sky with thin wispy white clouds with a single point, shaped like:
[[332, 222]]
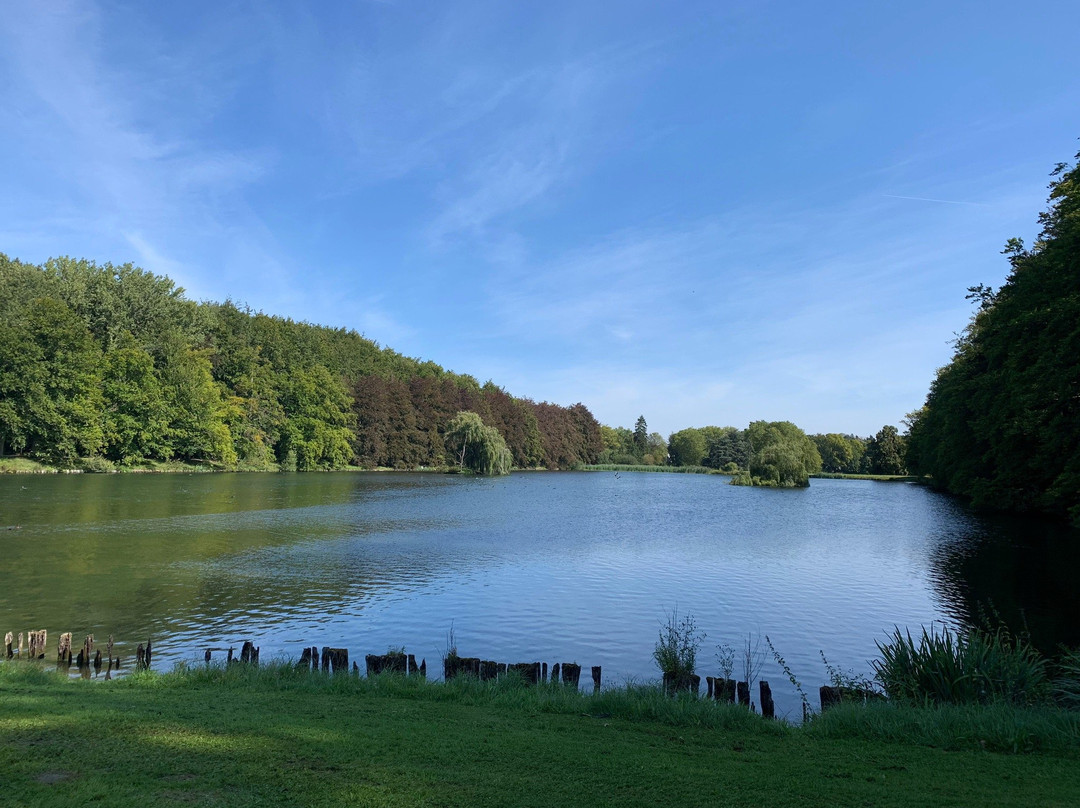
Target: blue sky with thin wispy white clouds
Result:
[[705, 213]]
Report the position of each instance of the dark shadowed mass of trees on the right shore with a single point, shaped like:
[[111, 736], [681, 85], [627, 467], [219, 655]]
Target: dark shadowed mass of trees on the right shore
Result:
[[1002, 423]]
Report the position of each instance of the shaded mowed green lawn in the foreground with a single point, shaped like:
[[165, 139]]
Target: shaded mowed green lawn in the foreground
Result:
[[277, 737]]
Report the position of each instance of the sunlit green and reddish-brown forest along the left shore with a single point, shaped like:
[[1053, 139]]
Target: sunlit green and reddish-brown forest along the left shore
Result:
[[104, 366]]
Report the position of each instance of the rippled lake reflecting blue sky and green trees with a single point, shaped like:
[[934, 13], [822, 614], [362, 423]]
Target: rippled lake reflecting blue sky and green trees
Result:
[[536, 567]]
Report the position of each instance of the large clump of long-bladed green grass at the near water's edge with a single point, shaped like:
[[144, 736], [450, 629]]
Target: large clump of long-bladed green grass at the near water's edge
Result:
[[973, 667]]
